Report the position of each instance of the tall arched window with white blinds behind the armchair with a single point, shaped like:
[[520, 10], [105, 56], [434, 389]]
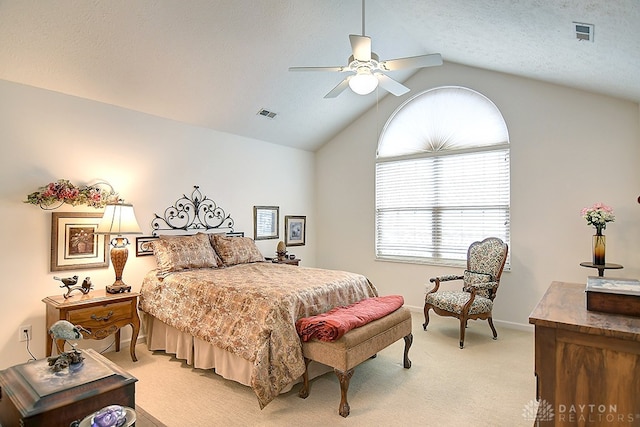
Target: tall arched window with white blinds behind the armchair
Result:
[[442, 177]]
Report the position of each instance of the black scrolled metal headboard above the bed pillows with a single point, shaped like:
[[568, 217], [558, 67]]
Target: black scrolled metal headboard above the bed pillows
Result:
[[188, 215]]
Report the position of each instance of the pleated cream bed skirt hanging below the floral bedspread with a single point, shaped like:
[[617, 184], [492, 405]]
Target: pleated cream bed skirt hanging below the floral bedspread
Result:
[[203, 355]]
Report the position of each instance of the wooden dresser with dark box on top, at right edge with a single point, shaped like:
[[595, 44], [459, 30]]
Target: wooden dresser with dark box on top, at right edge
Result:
[[587, 364]]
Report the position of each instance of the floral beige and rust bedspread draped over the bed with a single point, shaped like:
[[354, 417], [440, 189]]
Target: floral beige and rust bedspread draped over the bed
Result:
[[251, 311]]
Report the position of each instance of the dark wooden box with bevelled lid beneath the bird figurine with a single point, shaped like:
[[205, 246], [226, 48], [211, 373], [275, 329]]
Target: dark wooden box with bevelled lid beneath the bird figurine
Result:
[[31, 395]]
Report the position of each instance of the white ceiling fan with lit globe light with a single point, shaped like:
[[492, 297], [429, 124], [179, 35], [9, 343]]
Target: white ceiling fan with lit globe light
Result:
[[366, 71]]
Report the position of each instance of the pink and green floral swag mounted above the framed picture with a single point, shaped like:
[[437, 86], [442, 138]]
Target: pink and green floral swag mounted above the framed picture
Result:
[[54, 194]]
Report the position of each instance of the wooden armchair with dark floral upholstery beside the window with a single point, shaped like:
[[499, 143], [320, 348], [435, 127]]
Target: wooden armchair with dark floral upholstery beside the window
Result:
[[480, 281]]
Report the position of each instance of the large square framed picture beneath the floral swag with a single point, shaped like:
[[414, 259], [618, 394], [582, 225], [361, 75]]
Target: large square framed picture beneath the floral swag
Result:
[[74, 246]]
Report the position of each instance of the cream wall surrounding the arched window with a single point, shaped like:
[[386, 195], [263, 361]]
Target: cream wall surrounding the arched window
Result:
[[569, 149]]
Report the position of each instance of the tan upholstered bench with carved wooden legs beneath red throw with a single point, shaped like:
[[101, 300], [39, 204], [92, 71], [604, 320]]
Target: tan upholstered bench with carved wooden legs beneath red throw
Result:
[[356, 346]]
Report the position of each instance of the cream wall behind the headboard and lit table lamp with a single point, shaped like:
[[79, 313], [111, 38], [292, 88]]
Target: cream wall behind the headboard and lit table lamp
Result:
[[150, 161]]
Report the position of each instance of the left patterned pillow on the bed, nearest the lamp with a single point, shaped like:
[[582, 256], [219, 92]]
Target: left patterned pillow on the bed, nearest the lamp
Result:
[[176, 253]]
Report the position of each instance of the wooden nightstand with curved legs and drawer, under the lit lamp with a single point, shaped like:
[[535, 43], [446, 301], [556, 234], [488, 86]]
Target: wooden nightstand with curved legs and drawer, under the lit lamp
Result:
[[100, 312]]
